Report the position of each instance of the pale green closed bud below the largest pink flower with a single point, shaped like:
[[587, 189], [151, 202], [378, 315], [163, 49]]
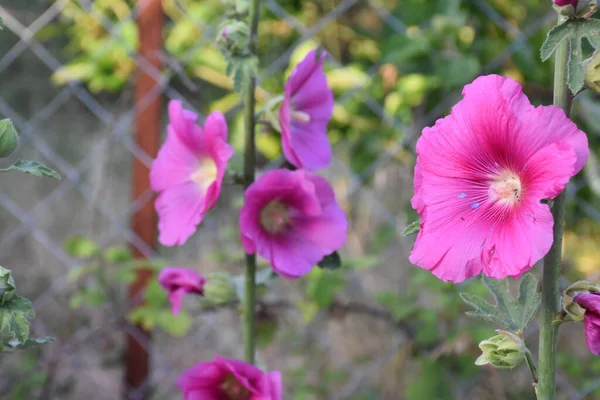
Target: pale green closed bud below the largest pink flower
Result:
[[505, 350]]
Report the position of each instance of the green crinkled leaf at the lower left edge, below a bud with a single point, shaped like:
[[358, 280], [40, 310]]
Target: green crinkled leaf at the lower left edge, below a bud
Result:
[[14, 320]]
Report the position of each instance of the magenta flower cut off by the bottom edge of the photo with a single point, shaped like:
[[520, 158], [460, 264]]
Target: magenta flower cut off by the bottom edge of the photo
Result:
[[224, 379]]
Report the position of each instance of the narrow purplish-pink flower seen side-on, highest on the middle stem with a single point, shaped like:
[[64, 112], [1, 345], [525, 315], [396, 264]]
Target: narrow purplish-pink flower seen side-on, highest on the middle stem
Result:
[[306, 109]]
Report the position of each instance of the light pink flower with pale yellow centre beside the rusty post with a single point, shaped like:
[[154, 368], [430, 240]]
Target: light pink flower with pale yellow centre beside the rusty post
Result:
[[188, 172]]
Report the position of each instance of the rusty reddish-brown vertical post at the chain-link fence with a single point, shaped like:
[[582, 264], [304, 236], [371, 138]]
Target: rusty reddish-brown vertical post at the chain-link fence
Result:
[[148, 107]]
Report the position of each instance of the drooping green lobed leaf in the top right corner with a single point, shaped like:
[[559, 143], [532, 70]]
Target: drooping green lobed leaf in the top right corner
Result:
[[574, 30]]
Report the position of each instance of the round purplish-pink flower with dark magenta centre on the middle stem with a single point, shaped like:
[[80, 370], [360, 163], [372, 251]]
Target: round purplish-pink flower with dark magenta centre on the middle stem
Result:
[[292, 219]]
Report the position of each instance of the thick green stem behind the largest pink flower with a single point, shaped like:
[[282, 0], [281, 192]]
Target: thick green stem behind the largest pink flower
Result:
[[550, 291]]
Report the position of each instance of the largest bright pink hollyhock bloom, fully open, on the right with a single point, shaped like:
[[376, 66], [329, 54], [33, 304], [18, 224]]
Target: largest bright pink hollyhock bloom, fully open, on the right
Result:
[[480, 176]]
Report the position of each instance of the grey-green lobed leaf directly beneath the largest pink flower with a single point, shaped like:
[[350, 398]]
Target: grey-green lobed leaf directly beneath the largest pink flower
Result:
[[509, 313]]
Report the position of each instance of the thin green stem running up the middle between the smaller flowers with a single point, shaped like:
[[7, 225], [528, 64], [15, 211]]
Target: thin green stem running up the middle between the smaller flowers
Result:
[[249, 169]]
